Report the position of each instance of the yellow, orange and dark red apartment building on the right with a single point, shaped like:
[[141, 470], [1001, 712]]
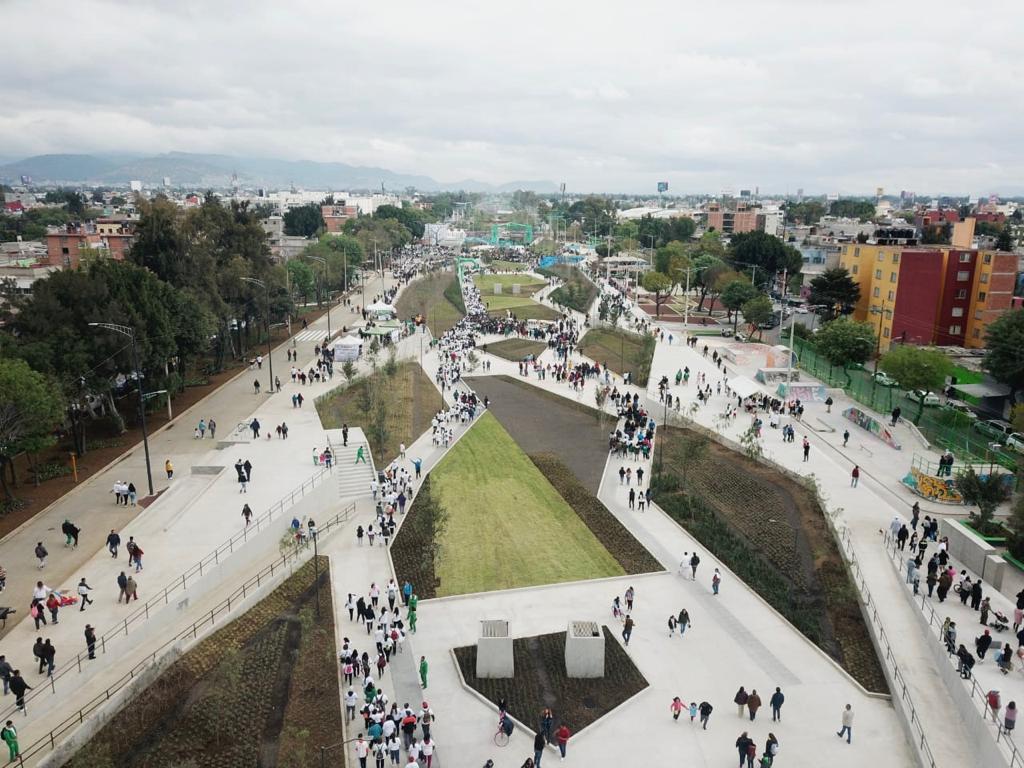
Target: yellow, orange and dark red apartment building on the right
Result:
[[945, 295]]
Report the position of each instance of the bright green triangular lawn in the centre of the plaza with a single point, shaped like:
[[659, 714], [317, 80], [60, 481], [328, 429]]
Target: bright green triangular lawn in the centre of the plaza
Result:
[[507, 525]]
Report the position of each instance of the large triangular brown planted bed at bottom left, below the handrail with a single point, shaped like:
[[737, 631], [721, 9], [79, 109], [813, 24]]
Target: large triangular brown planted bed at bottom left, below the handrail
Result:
[[264, 691]]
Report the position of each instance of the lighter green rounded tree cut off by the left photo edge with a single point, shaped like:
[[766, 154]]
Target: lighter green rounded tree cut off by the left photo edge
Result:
[[31, 408]]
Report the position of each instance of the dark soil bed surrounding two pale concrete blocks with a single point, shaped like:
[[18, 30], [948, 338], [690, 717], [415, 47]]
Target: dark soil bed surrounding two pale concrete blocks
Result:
[[541, 681]]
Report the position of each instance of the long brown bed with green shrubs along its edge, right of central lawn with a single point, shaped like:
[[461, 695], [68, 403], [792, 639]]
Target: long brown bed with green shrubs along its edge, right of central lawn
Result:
[[773, 533]]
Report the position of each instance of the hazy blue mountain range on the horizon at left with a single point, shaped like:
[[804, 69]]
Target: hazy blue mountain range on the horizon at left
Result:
[[190, 170]]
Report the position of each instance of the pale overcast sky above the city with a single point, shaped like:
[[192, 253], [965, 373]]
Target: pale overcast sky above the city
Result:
[[828, 96]]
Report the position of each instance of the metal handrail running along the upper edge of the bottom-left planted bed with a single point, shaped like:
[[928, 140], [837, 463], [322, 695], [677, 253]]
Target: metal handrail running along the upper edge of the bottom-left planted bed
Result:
[[51, 740]]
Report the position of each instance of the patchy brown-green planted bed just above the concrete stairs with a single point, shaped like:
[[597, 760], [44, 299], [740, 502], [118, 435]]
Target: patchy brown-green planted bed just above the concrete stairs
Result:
[[411, 399]]
